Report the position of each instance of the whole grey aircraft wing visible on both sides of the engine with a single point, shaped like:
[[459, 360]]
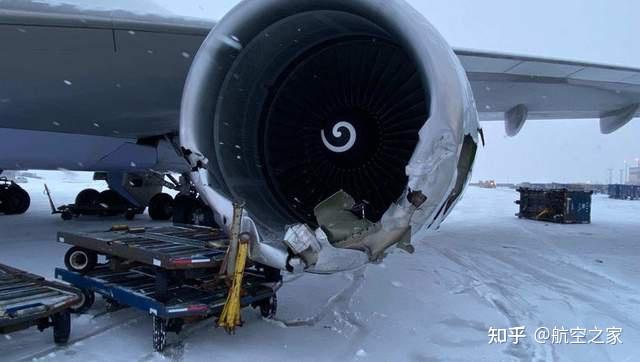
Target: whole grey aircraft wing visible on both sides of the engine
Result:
[[121, 75]]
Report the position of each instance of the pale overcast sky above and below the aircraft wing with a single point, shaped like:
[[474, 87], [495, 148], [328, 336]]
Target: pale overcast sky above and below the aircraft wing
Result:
[[603, 31]]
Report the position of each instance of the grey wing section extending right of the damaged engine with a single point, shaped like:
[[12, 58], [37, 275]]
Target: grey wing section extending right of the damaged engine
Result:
[[515, 88]]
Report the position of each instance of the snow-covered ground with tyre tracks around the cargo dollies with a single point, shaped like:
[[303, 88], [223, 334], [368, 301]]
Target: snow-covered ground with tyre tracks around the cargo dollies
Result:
[[485, 268]]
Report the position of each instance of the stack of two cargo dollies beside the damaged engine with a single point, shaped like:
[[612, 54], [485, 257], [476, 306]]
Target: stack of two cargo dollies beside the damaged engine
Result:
[[170, 272]]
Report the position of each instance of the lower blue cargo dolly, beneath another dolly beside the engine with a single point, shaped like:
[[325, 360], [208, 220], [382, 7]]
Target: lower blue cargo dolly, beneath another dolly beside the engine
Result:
[[184, 299]]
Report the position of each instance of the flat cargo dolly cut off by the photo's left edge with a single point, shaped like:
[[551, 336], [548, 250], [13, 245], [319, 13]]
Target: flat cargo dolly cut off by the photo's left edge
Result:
[[27, 300]]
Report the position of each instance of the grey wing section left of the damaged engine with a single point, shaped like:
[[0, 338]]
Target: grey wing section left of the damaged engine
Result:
[[100, 73]]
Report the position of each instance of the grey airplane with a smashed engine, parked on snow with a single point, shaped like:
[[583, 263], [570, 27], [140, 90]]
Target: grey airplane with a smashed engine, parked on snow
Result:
[[345, 128]]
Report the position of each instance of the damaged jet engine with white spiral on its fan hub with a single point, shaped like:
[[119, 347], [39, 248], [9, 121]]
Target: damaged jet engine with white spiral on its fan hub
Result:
[[288, 102]]
